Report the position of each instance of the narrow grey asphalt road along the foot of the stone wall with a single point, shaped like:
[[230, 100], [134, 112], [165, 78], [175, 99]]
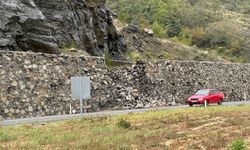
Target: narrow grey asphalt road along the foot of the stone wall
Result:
[[41, 120]]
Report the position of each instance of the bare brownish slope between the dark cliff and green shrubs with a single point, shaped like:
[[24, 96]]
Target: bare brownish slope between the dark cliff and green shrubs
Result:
[[141, 45]]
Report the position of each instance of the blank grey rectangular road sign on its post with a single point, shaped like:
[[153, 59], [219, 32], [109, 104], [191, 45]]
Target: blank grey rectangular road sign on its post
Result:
[[80, 89]]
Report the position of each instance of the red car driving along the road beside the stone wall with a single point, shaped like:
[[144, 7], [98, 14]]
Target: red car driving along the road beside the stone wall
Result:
[[208, 96]]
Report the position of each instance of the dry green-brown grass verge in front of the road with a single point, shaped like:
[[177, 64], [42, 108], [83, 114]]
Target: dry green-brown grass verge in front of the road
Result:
[[194, 128]]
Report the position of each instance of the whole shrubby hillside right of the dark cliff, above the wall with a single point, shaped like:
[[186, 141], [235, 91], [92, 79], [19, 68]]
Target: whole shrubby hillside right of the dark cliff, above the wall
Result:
[[216, 30]]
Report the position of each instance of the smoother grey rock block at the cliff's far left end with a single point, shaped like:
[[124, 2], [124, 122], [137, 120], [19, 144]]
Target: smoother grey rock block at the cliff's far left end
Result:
[[24, 27]]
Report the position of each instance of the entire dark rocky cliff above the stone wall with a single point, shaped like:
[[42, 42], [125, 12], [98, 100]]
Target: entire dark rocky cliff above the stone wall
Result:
[[43, 26]]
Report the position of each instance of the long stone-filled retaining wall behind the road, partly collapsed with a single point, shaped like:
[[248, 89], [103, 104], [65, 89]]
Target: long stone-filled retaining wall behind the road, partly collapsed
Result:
[[35, 85]]
